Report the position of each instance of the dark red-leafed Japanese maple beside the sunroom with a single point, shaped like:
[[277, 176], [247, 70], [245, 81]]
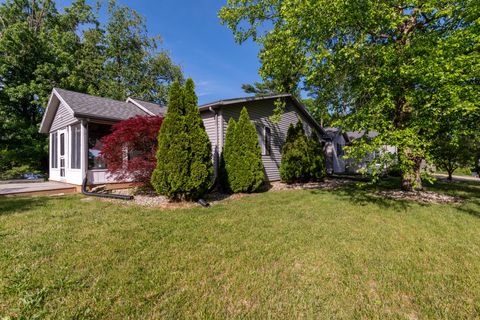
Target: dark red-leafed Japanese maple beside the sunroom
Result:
[[129, 151]]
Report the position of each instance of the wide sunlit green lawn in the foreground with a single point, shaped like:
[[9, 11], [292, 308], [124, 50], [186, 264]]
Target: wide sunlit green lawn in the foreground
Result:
[[290, 254]]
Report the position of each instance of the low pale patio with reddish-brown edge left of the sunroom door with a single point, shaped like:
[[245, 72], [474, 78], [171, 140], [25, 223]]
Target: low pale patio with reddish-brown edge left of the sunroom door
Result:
[[32, 188]]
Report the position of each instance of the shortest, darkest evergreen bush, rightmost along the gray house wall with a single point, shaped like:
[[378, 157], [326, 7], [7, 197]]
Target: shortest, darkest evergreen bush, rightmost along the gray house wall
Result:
[[302, 157]]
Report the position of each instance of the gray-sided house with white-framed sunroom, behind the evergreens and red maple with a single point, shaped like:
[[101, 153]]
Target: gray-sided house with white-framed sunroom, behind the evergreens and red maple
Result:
[[76, 122]]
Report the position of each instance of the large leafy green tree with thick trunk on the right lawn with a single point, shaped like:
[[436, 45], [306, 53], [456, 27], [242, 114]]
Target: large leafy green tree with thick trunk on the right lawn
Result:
[[395, 67]]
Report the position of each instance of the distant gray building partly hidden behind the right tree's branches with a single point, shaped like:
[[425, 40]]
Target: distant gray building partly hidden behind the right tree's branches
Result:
[[336, 140]]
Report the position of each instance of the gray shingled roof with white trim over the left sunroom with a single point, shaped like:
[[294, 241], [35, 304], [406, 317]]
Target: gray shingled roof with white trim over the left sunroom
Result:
[[83, 105]]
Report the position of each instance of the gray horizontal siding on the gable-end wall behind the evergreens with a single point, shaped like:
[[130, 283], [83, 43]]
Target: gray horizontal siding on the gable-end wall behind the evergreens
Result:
[[260, 112]]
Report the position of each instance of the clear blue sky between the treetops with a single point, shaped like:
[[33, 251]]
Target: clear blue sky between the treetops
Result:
[[196, 40]]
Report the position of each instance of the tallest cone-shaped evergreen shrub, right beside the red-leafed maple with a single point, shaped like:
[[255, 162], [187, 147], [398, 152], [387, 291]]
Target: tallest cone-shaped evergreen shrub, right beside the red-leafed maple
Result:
[[184, 158]]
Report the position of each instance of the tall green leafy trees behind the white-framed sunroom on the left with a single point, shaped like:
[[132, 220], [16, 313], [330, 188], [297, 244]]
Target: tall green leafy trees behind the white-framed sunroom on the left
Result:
[[41, 48]]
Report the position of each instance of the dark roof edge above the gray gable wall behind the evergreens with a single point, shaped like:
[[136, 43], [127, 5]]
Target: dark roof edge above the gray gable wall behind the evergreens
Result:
[[300, 106]]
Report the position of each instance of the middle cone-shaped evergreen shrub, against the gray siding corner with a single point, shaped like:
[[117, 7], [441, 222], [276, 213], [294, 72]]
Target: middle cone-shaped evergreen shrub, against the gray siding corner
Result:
[[242, 166]]
